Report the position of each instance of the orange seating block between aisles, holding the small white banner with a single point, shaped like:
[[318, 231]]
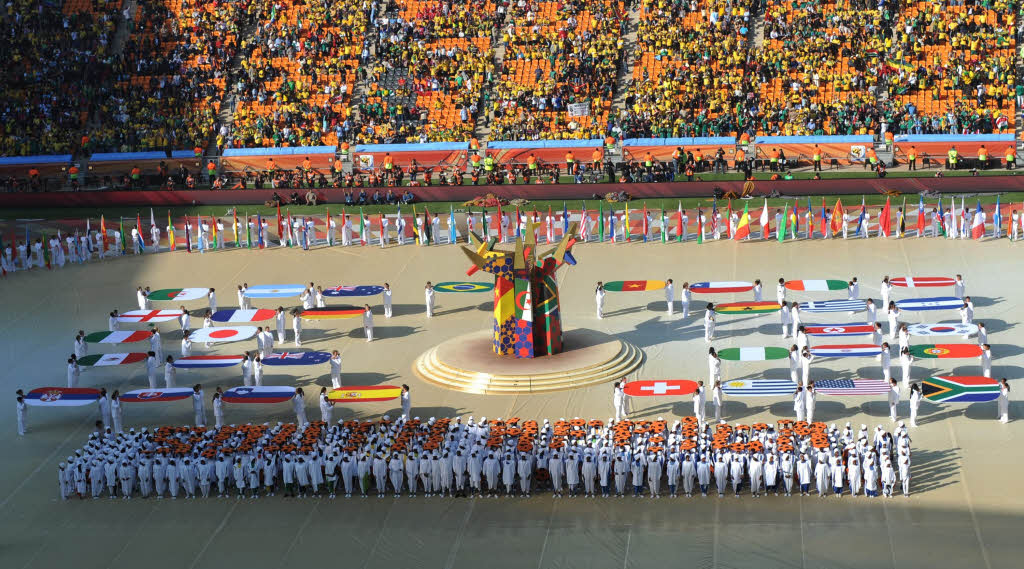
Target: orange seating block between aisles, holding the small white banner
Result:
[[559, 55]]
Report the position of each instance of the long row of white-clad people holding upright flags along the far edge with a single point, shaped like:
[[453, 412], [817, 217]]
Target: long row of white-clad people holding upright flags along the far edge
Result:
[[606, 230]]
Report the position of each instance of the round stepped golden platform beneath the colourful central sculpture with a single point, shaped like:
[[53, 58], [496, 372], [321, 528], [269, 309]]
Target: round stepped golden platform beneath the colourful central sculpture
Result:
[[467, 364]]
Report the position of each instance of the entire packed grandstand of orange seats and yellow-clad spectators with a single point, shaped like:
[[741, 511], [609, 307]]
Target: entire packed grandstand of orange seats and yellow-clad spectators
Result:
[[206, 79]]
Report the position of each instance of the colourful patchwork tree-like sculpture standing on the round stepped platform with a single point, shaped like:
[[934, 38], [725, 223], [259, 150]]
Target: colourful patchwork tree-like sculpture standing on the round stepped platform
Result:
[[528, 322]]
